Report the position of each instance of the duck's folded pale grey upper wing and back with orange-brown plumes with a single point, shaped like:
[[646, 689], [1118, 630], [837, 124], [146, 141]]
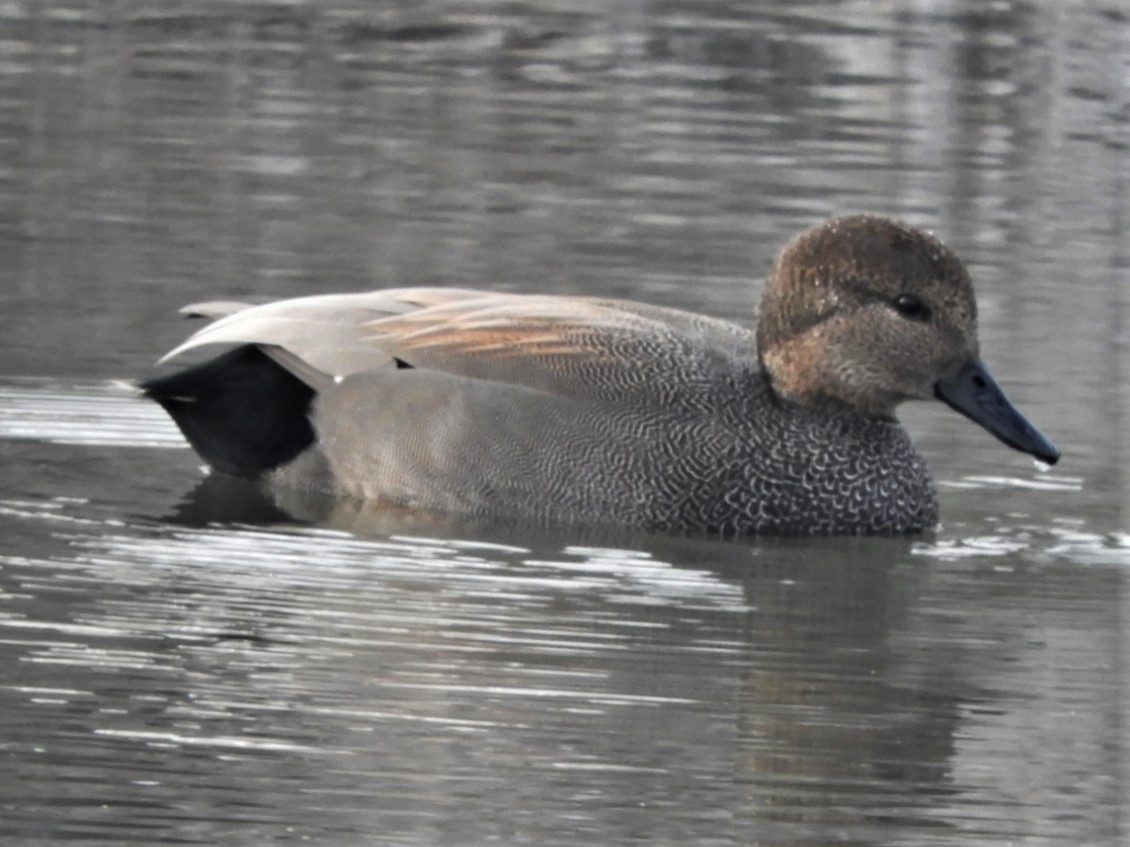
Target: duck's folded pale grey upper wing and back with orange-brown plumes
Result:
[[570, 346]]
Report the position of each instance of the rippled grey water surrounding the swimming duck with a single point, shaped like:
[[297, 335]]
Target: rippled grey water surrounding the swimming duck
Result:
[[181, 663]]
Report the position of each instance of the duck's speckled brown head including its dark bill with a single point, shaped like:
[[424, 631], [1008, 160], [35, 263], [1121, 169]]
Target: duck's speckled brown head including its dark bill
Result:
[[865, 313]]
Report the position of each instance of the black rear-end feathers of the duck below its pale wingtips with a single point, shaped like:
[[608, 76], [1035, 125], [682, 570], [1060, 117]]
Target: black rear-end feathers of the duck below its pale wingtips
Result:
[[241, 412]]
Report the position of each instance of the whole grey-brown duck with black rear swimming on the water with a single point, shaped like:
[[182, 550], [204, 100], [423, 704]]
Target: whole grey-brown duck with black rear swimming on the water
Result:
[[581, 409]]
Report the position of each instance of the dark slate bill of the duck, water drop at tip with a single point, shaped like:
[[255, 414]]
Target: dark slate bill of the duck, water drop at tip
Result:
[[976, 395]]
